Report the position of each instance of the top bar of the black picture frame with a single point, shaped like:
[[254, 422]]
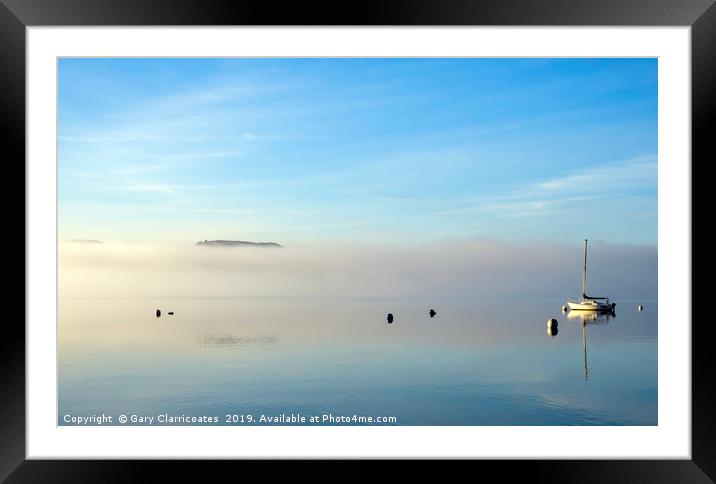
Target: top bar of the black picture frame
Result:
[[366, 12]]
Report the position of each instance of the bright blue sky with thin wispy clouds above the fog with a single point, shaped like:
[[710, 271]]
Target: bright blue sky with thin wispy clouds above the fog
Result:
[[364, 150]]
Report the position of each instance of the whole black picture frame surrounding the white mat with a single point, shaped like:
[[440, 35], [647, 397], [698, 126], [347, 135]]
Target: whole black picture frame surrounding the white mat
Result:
[[16, 15]]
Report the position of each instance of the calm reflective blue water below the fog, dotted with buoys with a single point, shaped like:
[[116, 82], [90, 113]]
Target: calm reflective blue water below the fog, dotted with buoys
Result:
[[475, 363]]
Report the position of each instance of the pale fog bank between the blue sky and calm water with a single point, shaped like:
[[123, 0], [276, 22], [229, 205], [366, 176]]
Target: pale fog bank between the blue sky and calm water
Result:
[[464, 269]]
